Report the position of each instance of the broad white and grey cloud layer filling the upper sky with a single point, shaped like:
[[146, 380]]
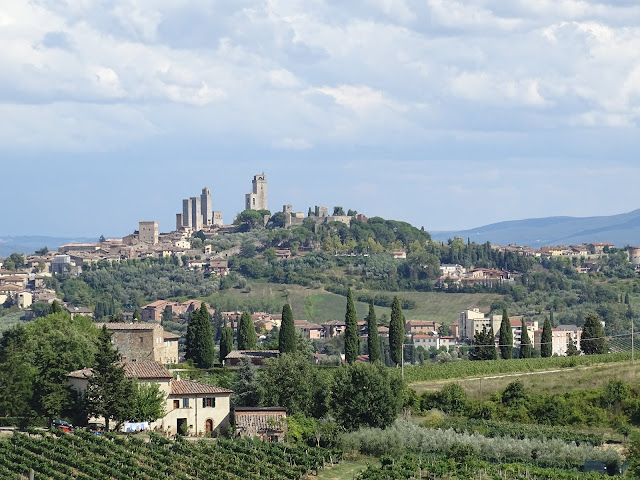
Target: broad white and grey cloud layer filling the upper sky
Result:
[[374, 72]]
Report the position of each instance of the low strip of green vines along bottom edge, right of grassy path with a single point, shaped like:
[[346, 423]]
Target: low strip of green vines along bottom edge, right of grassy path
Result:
[[436, 468]]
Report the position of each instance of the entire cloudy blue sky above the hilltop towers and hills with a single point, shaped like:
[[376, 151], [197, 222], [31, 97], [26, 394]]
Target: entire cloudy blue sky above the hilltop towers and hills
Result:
[[448, 114]]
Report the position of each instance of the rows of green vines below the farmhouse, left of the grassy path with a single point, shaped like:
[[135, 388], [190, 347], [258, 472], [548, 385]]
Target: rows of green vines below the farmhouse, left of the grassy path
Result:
[[85, 456]]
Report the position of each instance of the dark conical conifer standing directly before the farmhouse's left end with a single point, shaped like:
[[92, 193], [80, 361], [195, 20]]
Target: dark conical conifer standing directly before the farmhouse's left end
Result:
[[109, 392]]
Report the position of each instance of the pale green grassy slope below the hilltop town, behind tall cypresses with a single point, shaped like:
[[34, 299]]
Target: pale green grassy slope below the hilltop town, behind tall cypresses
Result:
[[318, 305]]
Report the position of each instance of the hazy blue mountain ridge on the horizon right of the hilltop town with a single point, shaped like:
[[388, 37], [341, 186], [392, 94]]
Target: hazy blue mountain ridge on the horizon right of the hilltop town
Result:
[[622, 229]]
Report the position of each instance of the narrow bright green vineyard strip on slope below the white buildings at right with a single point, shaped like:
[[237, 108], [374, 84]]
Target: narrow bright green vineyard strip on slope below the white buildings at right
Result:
[[464, 369]]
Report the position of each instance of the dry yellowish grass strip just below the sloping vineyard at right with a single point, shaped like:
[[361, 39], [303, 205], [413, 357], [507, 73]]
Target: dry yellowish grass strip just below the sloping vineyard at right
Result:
[[550, 382]]
